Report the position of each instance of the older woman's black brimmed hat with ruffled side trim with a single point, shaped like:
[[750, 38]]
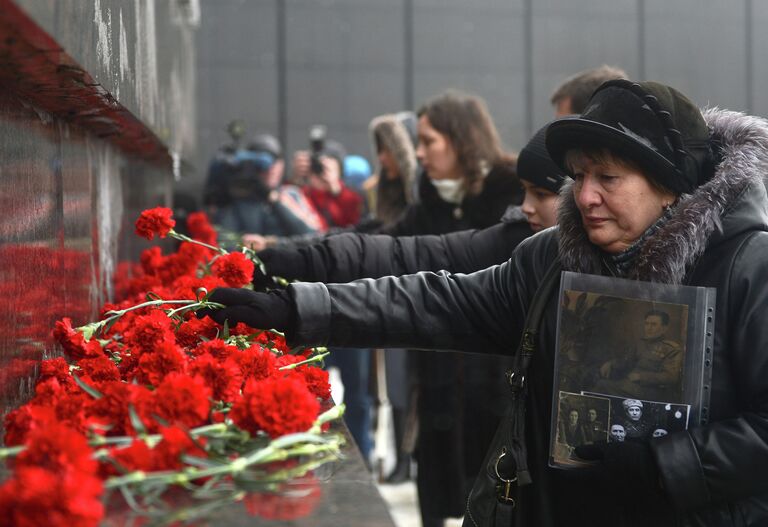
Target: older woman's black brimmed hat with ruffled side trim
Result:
[[650, 124]]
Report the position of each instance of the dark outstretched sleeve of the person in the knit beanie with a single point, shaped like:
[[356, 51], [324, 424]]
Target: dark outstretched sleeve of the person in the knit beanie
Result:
[[351, 256]]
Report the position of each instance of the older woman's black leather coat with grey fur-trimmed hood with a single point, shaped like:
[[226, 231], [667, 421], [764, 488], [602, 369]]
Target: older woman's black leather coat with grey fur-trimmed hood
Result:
[[716, 474]]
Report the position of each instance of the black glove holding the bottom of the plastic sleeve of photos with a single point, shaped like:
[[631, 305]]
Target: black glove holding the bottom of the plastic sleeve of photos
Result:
[[628, 471]]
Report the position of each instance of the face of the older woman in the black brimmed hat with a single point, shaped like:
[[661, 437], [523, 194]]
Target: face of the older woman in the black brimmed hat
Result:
[[617, 201]]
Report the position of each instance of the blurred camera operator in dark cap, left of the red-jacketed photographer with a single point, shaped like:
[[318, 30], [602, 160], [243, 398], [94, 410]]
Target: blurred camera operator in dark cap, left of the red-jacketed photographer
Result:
[[252, 198]]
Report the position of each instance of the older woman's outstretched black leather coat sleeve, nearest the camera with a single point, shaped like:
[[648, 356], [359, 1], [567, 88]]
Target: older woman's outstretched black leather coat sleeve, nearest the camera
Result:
[[480, 311]]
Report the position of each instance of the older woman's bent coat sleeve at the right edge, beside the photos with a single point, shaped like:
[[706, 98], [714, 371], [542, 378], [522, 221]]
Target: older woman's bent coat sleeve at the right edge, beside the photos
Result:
[[727, 459]]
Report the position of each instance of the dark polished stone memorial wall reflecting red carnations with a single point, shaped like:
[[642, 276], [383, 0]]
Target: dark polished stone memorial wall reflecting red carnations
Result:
[[76, 165]]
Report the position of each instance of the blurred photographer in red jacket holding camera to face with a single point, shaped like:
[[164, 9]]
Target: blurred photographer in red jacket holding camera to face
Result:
[[320, 172]]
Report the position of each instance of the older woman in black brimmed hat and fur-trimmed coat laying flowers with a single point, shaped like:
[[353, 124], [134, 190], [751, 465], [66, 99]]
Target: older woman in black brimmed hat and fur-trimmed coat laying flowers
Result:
[[660, 193]]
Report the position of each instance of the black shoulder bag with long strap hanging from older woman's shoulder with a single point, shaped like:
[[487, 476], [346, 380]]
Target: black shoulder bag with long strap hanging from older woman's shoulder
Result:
[[493, 499]]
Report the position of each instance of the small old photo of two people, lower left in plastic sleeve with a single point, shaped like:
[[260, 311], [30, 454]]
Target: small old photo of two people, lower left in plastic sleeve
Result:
[[581, 420]]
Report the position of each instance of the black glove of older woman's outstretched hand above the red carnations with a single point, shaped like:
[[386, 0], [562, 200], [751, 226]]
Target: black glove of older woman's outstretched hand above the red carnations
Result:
[[273, 310]]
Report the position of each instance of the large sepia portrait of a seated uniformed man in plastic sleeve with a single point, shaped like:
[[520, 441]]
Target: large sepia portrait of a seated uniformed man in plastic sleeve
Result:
[[621, 346]]
